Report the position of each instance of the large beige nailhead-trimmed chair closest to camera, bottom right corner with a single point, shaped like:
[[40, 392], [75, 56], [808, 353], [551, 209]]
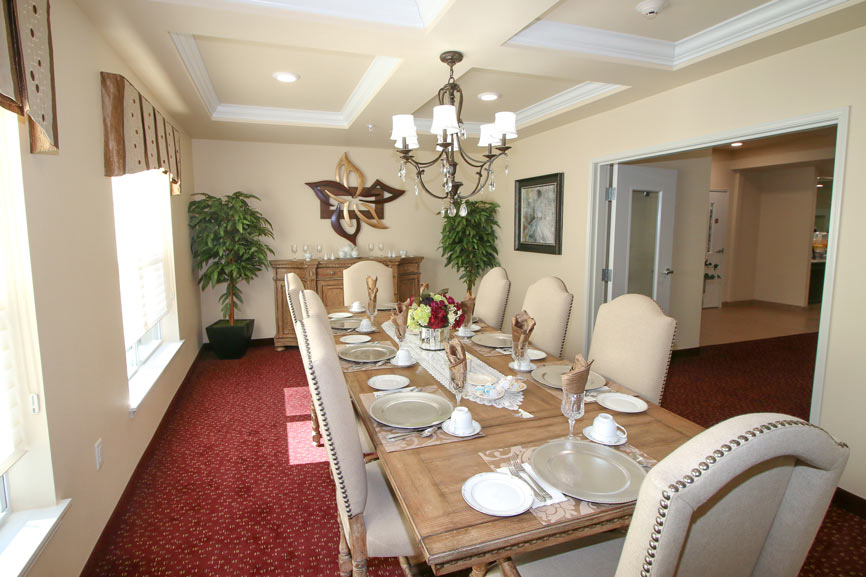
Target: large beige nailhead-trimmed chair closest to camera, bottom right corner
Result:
[[744, 498]]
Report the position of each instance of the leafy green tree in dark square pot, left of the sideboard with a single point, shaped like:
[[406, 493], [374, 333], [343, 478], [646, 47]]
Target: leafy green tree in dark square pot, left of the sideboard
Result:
[[228, 247]]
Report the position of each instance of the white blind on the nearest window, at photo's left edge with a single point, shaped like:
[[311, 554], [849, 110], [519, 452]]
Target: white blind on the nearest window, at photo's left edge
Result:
[[14, 278]]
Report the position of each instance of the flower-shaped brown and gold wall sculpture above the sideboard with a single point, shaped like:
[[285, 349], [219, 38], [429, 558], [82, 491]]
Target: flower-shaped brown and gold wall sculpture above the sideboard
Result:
[[348, 206]]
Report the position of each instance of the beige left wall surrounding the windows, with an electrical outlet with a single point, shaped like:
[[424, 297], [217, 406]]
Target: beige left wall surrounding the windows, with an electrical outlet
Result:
[[71, 226]]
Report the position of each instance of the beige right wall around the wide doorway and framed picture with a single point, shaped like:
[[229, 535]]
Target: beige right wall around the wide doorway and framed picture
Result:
[[705, 107]]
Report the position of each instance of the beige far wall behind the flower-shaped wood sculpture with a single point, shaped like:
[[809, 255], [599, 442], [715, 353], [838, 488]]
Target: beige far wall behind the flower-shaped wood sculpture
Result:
[[276, 173]]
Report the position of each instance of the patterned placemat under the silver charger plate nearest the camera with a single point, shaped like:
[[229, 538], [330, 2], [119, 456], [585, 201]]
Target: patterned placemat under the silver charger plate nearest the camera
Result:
[[571, 508]]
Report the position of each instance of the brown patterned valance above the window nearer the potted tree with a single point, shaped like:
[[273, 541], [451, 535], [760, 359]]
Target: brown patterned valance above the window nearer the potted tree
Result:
[[137, 136]]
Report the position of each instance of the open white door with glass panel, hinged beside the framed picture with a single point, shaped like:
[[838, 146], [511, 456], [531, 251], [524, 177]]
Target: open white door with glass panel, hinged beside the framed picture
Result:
[[642, 232]]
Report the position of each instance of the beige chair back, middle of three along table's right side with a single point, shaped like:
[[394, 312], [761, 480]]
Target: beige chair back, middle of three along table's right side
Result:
[[548, 301]]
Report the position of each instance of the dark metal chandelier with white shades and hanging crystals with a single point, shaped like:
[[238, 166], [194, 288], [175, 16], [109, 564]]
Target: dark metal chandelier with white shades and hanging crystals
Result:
[[451, 134]]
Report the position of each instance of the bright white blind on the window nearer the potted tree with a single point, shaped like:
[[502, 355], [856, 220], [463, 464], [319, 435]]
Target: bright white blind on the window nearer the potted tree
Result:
[[142, 216]]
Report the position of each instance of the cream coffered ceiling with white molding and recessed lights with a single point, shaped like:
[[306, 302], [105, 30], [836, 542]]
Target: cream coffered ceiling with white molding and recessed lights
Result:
[[210, 63]]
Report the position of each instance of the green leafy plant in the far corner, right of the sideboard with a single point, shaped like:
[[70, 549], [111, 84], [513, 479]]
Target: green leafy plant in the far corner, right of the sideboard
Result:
[[469, 242]]
